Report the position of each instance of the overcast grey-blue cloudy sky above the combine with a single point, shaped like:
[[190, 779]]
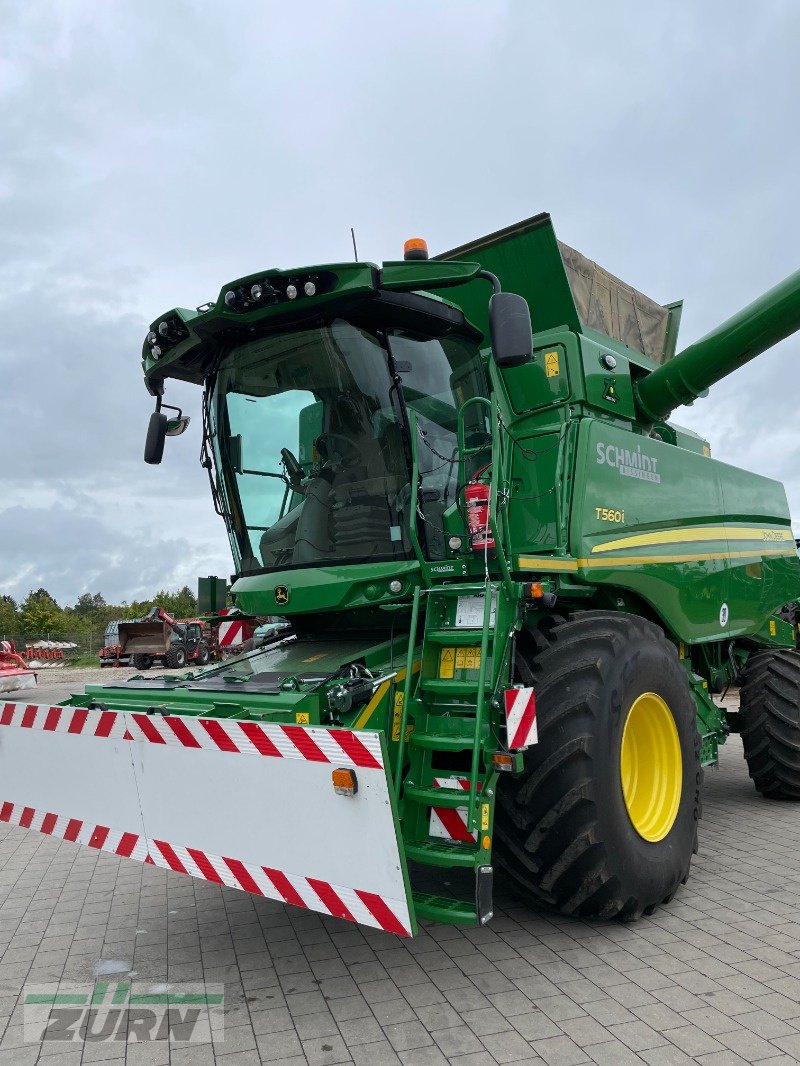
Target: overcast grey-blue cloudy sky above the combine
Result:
[[153, 152]]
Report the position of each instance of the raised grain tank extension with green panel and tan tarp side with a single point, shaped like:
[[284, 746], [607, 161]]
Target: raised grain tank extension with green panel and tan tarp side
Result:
[[565, 288]]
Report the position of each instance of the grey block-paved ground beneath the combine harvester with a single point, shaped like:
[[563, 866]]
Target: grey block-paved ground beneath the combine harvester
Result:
[[713, 979]]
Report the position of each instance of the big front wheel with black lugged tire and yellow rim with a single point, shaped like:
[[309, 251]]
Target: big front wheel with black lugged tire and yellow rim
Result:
[[602, 822]]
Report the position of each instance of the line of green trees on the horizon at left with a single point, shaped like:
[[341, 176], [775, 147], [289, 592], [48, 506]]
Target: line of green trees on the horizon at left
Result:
[[40, 616]]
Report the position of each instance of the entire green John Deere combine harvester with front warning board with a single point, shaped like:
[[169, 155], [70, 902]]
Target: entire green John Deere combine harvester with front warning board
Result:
[[515, 586]]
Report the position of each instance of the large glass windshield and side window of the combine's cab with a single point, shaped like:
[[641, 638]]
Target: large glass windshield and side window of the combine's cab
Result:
[[310, 435]]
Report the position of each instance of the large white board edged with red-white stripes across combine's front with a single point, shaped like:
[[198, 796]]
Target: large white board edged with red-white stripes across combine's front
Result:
[[249, 805]]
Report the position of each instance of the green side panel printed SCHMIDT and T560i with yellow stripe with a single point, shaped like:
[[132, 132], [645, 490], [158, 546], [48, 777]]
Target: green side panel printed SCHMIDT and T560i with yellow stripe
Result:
[[685, 532]]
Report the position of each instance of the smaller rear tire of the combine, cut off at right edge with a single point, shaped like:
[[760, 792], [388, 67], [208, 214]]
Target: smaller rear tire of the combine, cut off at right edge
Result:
[[770, 705]]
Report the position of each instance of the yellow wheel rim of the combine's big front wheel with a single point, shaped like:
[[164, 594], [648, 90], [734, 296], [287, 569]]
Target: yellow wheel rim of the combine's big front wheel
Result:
[[651, 767]]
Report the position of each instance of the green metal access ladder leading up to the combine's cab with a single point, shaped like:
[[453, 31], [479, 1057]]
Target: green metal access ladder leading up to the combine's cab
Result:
[[455, 712]]
